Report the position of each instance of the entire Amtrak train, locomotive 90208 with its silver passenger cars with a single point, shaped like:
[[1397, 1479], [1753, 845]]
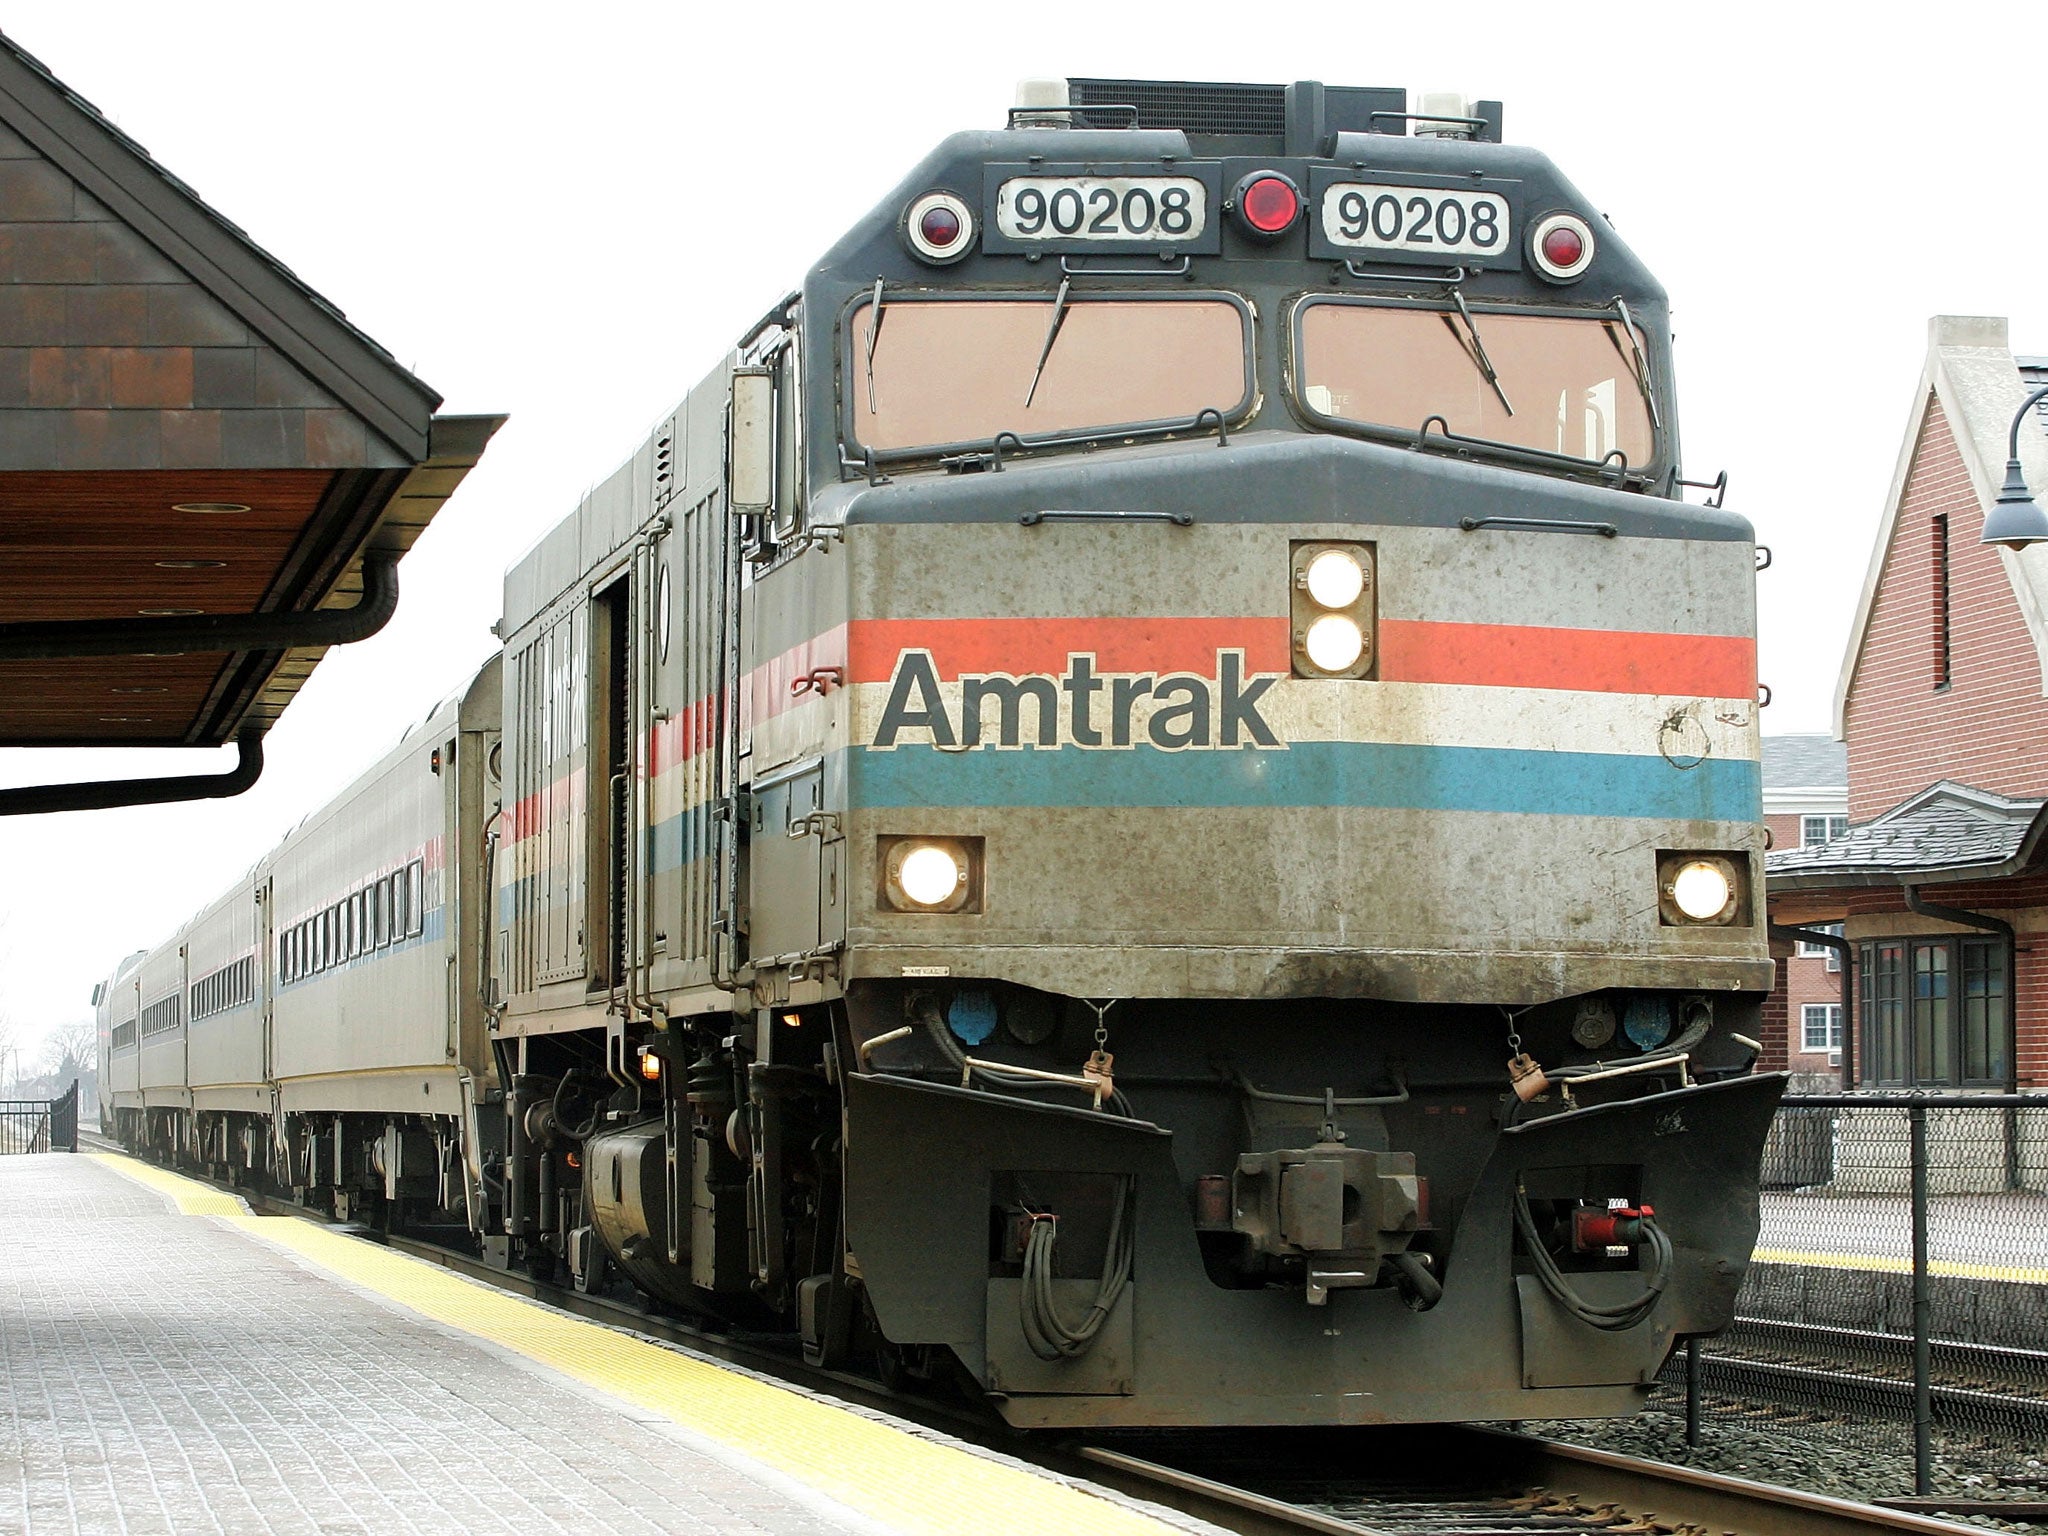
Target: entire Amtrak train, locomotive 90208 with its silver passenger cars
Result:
[[1146, 800]]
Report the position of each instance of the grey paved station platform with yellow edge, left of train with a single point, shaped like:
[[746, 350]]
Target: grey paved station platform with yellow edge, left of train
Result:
[[173, 1363]]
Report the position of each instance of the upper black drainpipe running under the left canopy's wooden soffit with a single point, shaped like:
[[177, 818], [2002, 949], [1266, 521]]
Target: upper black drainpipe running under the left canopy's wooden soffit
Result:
[[200, 634]]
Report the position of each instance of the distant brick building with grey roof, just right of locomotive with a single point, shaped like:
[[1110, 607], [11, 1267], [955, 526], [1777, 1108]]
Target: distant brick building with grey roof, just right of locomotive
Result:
[[1805, 804]]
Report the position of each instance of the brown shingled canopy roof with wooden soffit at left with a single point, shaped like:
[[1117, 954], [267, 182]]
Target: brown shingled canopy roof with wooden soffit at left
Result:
[[189, 437]]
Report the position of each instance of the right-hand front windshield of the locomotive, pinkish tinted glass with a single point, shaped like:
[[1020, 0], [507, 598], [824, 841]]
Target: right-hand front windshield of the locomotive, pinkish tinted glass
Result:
[[1558, 384]]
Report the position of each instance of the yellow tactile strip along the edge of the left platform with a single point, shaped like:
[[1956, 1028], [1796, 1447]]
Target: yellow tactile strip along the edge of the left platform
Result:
[[914, 1486]]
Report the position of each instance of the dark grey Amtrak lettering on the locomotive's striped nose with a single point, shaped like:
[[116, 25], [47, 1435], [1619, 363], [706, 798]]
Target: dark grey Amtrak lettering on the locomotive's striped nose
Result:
[[1082, 708]]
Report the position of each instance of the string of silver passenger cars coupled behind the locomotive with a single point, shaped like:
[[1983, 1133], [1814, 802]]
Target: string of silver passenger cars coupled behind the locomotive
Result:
[[327, 1017]]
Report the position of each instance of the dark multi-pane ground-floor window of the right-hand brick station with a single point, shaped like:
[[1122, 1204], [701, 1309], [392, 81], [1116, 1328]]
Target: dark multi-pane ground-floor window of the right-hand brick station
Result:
[[1936, 1013]]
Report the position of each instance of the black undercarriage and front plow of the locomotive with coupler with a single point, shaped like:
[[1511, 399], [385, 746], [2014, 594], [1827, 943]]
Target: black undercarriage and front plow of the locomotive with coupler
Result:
[[1279, 1211]]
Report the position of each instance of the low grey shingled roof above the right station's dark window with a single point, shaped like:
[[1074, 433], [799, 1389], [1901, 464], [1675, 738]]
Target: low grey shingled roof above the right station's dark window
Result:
[[1947, 833]]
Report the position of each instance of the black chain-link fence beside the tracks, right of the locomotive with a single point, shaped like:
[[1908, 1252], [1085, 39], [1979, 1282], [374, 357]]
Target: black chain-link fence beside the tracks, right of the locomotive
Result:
[[1900, 1287]]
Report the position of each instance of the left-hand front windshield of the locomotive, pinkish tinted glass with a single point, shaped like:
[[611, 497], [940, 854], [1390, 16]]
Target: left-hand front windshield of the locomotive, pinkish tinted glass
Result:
[[959, 372]]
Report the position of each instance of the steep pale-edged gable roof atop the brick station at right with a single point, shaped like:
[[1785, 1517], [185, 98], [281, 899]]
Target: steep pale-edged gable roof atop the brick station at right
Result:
[[1973, 374]]
